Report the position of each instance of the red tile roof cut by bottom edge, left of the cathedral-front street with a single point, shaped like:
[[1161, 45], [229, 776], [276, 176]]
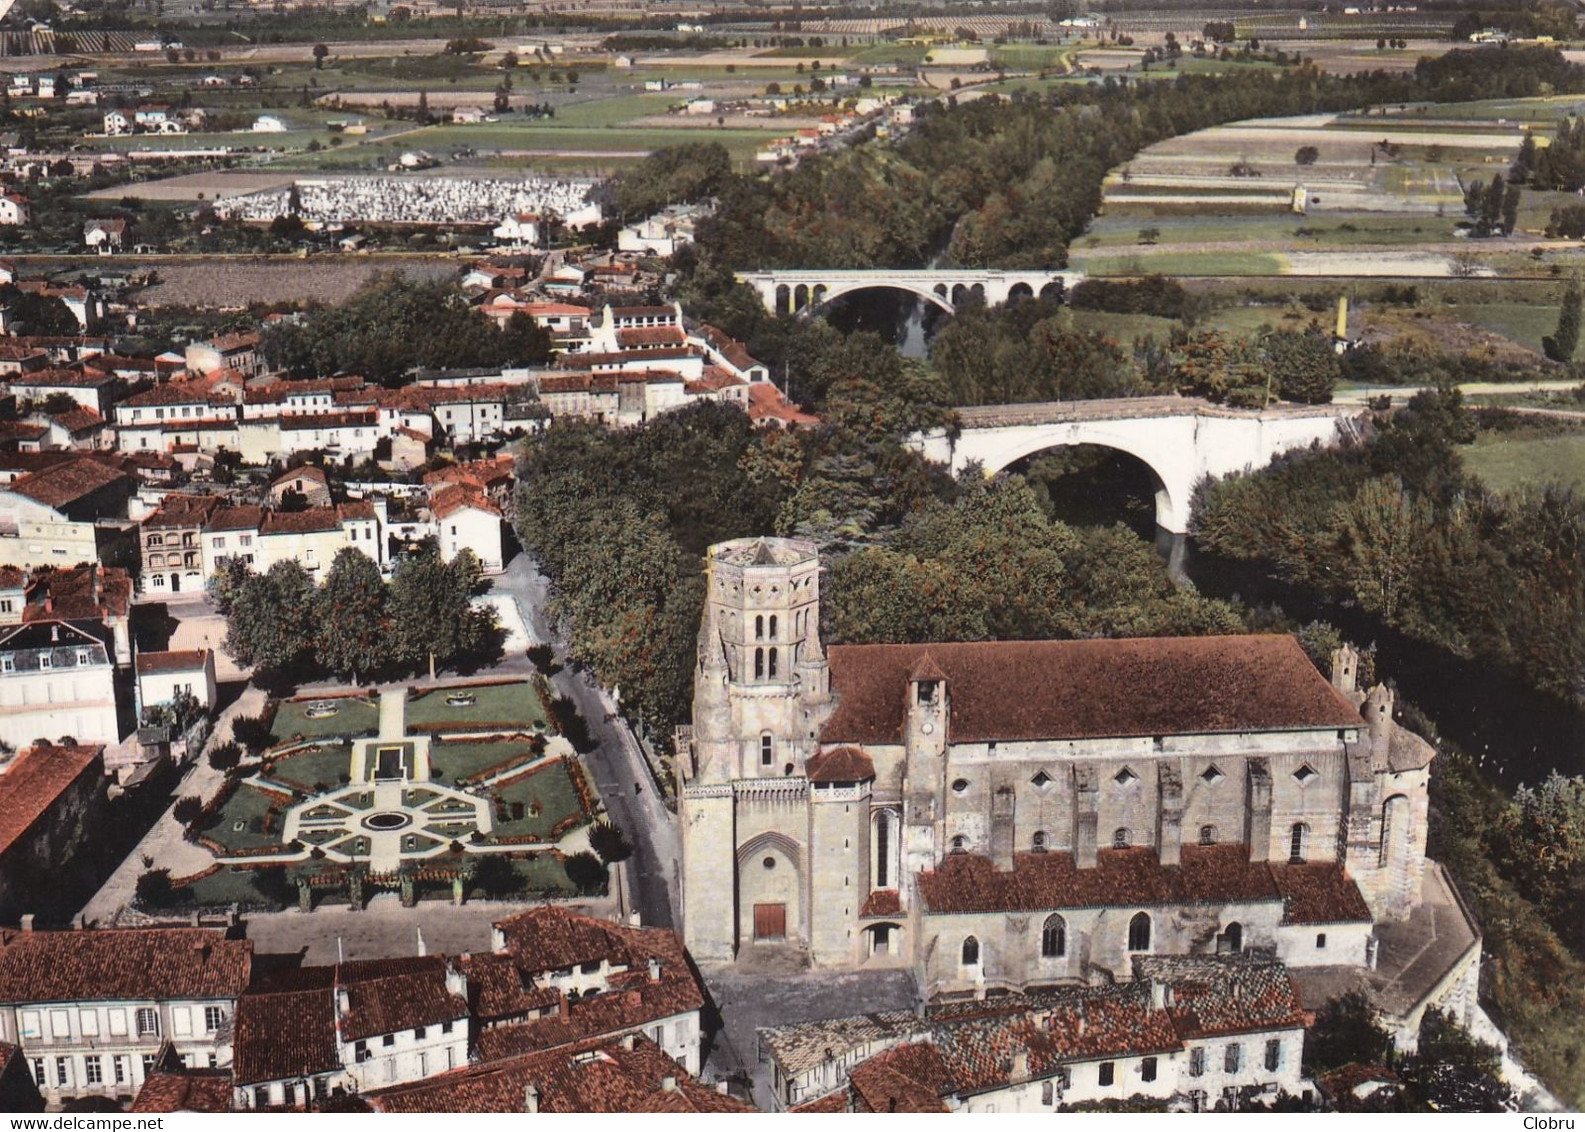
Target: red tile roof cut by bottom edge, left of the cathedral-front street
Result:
[[597, 1079]]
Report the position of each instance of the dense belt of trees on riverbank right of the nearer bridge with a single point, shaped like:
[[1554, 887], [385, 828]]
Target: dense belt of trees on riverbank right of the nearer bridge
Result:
[[1399, 527]]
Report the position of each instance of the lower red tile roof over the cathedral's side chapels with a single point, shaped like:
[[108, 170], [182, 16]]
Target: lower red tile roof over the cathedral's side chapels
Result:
[[1210, 874]]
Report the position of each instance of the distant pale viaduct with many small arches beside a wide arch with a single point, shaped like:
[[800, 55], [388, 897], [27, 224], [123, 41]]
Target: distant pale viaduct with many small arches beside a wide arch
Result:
[[792, 291]]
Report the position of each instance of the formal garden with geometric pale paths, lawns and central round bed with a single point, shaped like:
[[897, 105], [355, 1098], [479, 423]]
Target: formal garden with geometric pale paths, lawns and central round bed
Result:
[[457, 792]]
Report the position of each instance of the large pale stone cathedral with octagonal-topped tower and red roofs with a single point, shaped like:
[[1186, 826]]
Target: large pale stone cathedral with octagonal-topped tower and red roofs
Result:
[[1017, 814]]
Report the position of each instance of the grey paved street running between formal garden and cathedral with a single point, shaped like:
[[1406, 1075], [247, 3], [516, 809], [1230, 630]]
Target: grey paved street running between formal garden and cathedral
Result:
[[616, 763]]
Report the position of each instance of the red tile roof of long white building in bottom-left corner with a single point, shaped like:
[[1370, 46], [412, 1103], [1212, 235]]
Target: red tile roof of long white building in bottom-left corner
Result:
[[129, 963]]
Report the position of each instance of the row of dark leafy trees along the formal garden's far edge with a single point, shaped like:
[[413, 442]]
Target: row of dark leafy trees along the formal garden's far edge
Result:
[[356, 625]]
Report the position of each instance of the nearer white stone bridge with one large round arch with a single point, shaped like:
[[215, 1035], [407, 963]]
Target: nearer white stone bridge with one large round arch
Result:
[[1180, 440]]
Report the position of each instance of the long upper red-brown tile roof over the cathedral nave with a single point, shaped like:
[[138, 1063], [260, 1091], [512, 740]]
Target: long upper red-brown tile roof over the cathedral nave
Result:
[[1022, 690]]
